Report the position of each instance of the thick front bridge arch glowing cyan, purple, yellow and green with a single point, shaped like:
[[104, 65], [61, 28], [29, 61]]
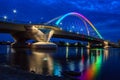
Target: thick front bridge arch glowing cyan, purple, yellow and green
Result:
[[80, 16]]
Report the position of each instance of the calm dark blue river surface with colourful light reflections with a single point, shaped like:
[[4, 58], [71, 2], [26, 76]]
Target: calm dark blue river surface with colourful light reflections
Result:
[[93, 64]]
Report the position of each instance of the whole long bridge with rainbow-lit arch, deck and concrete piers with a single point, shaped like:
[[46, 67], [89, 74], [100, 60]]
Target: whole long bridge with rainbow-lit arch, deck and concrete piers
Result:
[[44, 32]]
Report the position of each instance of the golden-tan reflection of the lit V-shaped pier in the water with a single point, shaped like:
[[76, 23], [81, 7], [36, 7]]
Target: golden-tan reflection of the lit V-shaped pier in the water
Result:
[[41, 63]]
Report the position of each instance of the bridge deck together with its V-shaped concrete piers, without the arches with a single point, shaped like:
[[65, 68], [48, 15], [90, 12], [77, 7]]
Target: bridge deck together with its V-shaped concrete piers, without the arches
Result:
[[22, 33]]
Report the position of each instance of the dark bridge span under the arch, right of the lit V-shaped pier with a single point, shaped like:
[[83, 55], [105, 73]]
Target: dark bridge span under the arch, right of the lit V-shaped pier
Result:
[[74, 36]]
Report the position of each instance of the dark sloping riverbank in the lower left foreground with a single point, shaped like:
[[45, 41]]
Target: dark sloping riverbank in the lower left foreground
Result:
[[9, 73]]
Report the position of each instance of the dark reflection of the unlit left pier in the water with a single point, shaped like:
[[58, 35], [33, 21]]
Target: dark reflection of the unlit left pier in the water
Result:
[[19, 59]]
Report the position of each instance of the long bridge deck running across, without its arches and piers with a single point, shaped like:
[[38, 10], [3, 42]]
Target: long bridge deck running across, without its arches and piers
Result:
[[13, 27]]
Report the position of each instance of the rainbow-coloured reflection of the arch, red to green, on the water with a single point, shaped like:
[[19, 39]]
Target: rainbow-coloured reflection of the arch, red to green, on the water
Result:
[[93, 69]]
